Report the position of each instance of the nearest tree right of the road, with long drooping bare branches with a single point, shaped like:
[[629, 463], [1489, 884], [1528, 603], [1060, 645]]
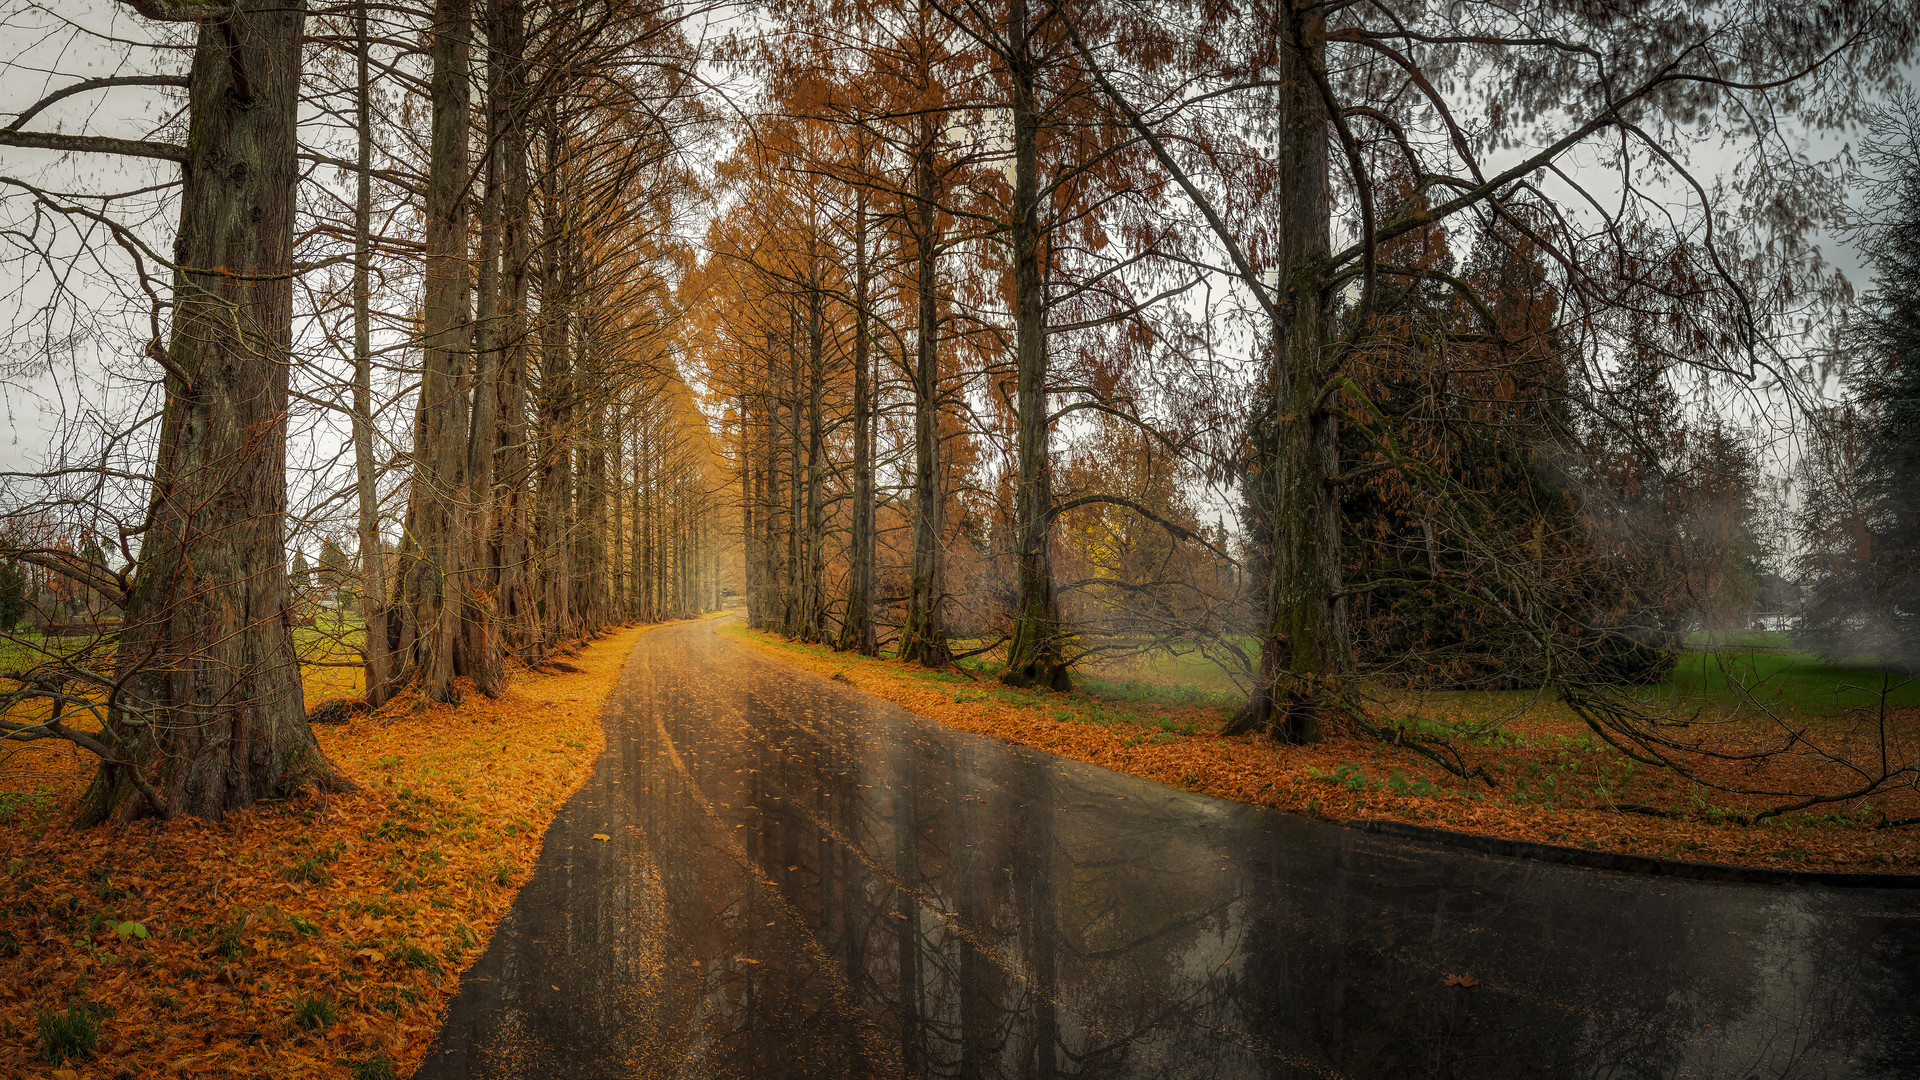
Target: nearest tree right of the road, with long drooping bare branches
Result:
[[1335, 105]]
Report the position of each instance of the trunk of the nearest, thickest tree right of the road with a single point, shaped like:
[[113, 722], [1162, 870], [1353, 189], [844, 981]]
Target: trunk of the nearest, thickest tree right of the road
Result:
[[1305, 658]]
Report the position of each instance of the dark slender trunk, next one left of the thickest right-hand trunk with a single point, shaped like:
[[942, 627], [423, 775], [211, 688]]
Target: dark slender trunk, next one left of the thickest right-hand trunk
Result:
[[1034, 654]]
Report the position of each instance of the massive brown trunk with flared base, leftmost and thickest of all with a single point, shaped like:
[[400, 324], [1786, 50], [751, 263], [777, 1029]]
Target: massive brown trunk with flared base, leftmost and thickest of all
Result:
[[206, 650]]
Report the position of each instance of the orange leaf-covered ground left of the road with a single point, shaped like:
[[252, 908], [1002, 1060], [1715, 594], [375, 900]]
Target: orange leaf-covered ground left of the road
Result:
[[314, 937]]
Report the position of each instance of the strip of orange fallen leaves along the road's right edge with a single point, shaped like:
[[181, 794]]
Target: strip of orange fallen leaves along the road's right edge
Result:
[[1299, 779]]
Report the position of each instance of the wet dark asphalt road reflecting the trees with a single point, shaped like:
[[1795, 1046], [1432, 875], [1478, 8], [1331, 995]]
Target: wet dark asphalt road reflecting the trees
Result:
[[807, 883]]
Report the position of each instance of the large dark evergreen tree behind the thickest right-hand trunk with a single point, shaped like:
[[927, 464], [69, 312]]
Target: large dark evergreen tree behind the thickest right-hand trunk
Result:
[[1491, 428]]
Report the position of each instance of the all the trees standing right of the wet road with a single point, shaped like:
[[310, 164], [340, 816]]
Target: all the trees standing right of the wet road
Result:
[[1495, 337]]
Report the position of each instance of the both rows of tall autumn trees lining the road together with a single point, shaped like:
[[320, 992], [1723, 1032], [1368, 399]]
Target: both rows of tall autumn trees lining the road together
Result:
[[999, 305]]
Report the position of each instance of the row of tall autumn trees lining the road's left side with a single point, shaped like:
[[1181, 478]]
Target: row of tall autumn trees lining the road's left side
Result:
[[441, 241]]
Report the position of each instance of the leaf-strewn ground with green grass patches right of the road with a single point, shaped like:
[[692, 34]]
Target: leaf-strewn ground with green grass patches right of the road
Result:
[[1554, 781]]
